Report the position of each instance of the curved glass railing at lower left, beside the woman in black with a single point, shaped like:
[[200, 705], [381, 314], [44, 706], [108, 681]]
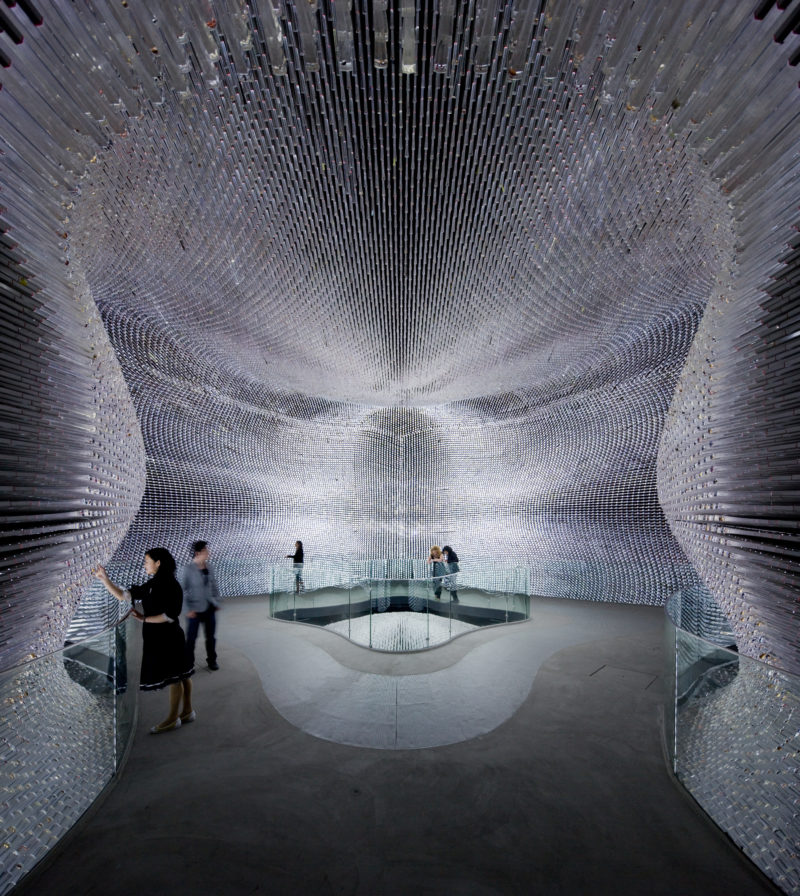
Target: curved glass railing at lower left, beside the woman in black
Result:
[[65, 722]]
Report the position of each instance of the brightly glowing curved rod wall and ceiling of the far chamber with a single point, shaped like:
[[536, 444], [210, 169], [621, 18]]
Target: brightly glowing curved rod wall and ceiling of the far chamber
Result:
[[375, 311]]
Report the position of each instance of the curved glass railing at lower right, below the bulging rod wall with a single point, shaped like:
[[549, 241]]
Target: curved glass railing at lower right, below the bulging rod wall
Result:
[[734, 736]]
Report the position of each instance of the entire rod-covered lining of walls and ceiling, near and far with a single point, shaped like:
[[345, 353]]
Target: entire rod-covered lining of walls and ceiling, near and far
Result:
[[378, 276]]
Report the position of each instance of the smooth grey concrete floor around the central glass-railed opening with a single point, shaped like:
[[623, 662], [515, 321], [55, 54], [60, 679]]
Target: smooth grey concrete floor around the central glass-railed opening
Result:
[[569, 795]]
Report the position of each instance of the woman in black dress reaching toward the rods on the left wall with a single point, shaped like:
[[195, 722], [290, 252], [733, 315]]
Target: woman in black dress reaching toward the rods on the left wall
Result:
[[165, 660]]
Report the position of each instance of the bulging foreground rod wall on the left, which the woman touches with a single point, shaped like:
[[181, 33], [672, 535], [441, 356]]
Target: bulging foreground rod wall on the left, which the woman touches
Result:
[[72, 459]]
